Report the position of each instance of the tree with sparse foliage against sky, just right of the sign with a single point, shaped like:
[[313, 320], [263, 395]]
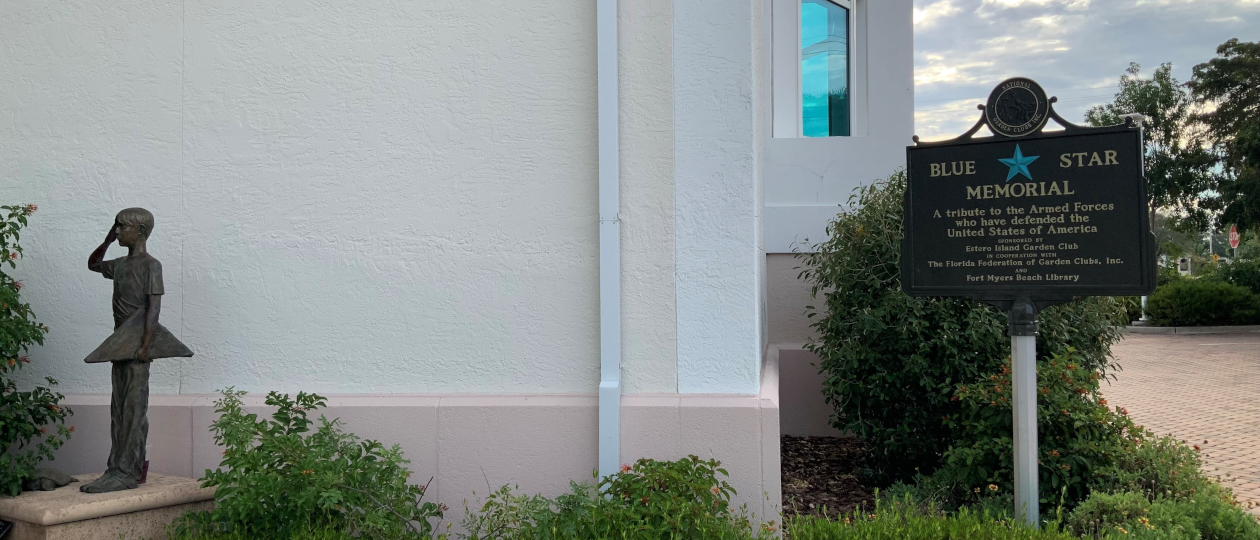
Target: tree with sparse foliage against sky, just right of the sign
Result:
[[1180, 167]]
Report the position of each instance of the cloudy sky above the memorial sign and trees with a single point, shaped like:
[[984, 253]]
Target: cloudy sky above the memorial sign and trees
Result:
[[1077, 50]]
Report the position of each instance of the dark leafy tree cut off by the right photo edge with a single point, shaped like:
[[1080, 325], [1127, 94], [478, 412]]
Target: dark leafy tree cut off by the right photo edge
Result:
[[1232, 82]]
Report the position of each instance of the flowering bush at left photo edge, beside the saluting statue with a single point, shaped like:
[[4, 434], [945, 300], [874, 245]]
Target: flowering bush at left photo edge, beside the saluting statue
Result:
[[26, 416]]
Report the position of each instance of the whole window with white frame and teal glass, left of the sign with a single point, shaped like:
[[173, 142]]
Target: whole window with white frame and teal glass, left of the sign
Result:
[[818, 69]]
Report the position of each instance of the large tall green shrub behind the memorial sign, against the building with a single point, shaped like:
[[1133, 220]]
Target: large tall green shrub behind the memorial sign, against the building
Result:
[[893, 363]]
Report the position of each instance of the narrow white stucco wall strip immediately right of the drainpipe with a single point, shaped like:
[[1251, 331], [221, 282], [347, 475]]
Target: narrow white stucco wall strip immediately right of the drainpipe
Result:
[[648, 296]]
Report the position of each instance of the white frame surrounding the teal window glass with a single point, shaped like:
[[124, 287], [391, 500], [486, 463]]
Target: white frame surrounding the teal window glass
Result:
[[786, 69]]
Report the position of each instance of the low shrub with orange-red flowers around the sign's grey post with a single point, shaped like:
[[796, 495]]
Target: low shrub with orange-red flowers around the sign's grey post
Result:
[[1078, 435]]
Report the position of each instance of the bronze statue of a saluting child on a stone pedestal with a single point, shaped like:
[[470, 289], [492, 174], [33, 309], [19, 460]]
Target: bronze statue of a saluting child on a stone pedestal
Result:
[[138, 339]]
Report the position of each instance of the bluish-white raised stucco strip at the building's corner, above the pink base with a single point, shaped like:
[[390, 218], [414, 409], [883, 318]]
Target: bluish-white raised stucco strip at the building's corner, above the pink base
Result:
[[720, 324]]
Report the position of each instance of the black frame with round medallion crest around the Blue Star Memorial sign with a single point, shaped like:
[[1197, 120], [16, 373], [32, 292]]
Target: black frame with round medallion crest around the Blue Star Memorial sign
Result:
[[1040, 294]]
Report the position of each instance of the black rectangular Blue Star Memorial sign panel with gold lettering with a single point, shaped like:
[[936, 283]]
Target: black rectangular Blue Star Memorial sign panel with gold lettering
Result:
[[1053, 215]]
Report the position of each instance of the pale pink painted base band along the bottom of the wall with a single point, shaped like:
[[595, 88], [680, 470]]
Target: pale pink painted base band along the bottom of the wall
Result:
[[472, 445]]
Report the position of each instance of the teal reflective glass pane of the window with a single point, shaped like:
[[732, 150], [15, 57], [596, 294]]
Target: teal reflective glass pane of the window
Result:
[[825, 69]]
